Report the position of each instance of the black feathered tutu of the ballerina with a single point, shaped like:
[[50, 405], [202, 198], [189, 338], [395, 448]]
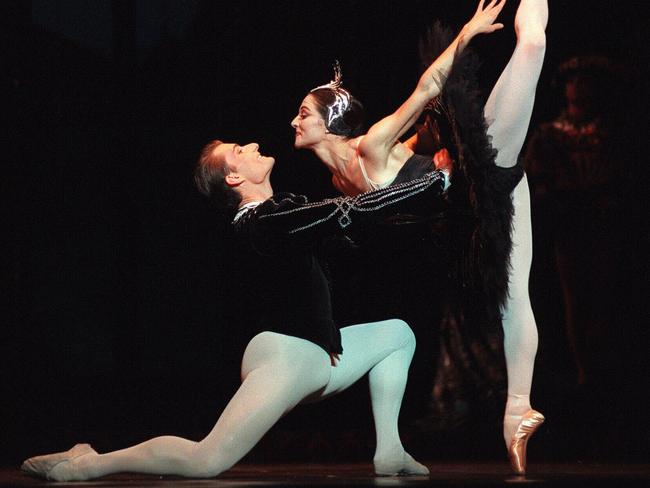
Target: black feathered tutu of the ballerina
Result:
[[480, 210]]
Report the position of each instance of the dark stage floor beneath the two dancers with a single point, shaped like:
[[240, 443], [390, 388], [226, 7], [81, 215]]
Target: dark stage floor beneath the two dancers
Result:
[[360, 474]]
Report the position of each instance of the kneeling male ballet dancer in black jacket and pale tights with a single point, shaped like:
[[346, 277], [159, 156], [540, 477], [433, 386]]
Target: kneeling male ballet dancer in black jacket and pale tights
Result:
[[297, 354]]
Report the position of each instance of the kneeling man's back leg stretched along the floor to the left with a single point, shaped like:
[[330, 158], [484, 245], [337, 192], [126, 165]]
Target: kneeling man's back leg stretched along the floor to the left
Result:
[[278, 372]]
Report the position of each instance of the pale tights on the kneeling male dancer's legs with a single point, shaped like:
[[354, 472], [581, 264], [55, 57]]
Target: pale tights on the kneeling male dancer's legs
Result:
[[278, 372]]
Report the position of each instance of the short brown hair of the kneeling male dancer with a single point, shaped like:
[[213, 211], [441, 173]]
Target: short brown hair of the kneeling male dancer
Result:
[[210, 179]]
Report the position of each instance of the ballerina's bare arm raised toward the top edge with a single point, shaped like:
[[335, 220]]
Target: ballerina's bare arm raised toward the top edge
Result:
[[375, 147]]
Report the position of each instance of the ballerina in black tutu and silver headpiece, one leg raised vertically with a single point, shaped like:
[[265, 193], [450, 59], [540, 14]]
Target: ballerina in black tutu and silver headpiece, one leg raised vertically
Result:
[[329, 124]]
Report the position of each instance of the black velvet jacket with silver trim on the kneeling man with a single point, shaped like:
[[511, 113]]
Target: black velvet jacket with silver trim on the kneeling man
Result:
[[287, 290]]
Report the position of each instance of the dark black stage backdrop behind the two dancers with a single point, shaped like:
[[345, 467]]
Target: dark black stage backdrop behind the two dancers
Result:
[[117, 314]]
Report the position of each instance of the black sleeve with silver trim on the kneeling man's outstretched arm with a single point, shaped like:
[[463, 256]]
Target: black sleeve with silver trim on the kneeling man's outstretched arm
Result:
[[296, 217]]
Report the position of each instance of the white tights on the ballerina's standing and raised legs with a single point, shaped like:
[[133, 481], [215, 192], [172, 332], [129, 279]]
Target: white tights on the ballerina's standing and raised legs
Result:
[[508, 111]]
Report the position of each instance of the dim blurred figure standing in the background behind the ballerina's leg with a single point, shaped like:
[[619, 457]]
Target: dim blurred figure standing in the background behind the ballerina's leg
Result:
[[579, 169]]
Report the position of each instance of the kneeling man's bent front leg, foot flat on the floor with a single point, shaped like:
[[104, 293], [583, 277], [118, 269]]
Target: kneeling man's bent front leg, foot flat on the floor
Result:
[[383, 350]]
